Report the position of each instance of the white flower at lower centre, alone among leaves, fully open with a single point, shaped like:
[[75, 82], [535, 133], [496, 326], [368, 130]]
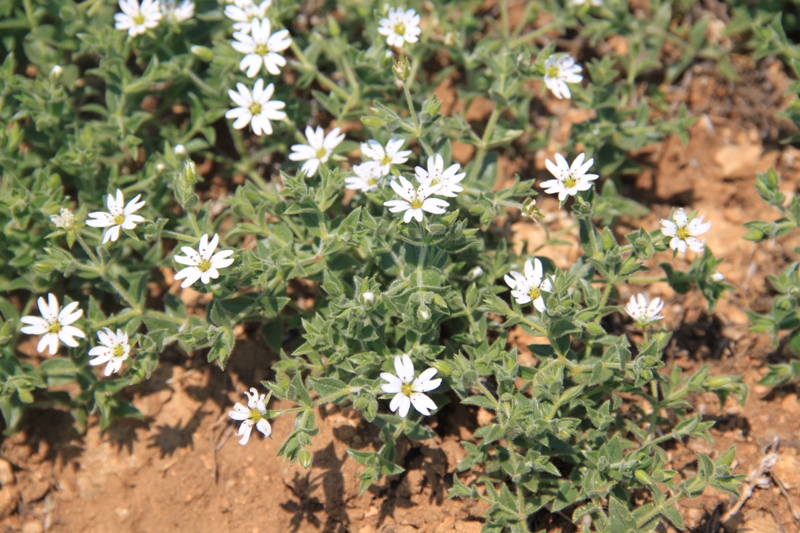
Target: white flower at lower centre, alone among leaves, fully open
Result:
[[407, 390]]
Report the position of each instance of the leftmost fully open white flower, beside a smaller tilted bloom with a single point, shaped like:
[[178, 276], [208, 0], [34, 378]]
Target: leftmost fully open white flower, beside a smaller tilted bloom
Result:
[[54, 325]]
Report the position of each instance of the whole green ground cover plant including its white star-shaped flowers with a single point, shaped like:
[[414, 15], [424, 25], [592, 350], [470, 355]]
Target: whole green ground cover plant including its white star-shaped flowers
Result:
[[118, 119]]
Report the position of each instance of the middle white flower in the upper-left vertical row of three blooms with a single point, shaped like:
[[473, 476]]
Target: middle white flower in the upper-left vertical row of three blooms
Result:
[[261, 47]]
